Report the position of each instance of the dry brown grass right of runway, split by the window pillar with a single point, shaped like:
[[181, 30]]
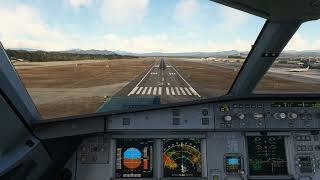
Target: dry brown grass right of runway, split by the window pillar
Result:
[[213, 81]]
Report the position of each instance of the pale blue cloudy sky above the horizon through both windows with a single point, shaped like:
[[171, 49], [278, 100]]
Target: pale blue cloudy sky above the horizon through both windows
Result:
[[136, 26]]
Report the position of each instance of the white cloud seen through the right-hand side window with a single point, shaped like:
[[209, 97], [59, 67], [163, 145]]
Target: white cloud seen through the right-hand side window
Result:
[[298, 42]]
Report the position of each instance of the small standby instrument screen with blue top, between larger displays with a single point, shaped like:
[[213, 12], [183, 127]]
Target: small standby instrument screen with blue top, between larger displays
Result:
[[232, 164]]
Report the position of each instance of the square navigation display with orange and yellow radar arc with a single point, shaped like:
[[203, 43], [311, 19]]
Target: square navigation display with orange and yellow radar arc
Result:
[[182, 157]]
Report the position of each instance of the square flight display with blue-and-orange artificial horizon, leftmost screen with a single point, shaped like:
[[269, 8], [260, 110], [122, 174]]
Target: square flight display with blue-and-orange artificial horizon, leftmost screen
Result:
[[134, 158]]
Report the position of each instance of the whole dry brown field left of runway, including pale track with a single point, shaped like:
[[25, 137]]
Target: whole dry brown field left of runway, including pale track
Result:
[[60, 90]]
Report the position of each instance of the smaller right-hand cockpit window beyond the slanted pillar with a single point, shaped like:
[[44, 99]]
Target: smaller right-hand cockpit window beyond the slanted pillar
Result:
[[297, 69]]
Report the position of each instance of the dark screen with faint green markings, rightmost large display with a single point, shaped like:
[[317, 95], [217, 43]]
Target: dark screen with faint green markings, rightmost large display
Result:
[[267, 155]]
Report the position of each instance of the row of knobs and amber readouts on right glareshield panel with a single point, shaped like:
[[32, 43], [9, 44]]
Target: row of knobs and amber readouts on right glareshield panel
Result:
[[267, 115]]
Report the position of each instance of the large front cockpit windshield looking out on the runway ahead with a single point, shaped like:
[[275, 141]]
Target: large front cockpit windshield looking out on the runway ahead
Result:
[[80, 57]]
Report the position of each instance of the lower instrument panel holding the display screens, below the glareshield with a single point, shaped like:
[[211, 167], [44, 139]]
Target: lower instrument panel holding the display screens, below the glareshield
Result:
[[210, 155]]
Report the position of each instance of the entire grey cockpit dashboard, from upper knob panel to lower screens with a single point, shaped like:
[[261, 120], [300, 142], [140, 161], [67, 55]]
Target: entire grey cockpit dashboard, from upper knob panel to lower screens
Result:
[[232, 140]]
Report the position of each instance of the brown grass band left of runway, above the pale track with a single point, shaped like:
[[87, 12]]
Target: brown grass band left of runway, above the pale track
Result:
[[83, 75]]
